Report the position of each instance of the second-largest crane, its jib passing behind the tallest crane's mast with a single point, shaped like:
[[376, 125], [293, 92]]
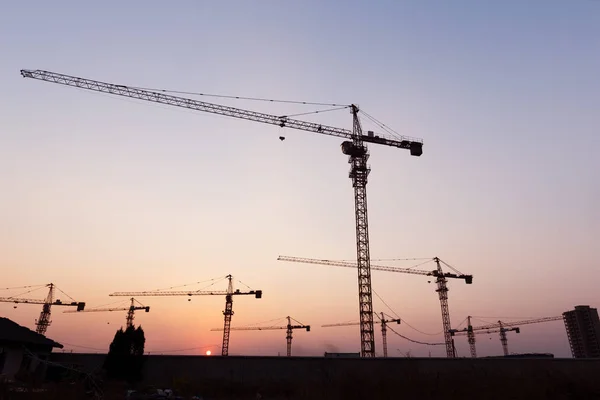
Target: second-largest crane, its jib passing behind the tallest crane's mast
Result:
[[441, 282]]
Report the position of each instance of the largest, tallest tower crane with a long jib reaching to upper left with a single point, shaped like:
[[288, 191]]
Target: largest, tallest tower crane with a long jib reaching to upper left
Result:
[[354, 147]]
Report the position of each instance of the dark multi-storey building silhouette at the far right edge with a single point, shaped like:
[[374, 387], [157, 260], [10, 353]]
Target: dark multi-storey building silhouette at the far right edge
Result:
[[583, 331]]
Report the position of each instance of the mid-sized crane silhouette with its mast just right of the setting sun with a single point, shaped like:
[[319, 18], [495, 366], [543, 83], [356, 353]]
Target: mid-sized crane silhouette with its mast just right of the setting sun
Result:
[[228, 313]]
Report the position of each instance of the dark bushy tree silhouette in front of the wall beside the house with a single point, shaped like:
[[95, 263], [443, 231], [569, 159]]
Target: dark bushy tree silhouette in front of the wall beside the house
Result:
[[125, 358]]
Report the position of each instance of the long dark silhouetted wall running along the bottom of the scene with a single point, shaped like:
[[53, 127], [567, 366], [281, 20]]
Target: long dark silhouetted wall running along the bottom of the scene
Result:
[[391, 378]]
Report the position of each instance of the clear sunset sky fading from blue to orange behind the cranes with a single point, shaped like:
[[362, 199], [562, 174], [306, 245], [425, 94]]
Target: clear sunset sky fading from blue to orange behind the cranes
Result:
[[101, 194]]
